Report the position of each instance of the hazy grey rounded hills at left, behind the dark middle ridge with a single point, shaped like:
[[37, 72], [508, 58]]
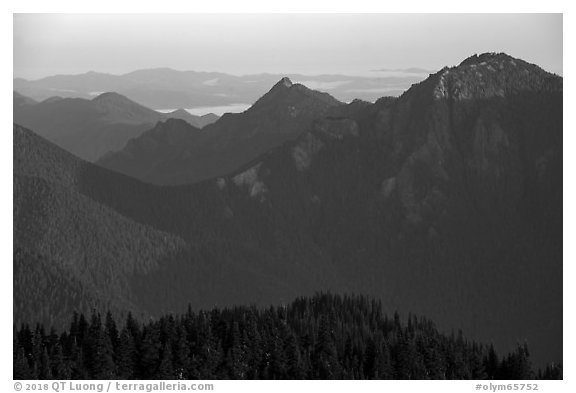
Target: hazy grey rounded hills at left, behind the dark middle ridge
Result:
[[91, 128]]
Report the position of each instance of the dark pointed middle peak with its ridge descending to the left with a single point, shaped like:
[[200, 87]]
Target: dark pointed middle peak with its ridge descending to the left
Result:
[[282, 114]]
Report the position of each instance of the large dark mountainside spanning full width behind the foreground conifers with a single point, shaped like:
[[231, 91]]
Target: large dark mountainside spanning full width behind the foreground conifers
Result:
[[445, 202]]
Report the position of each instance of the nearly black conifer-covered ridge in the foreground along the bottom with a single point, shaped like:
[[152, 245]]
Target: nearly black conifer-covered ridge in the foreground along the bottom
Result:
[[321, 337]]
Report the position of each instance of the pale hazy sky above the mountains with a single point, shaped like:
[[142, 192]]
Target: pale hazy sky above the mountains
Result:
[[48, 44]]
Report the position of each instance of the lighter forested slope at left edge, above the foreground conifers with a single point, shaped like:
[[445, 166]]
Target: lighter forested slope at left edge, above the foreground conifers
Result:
[[63, 236]]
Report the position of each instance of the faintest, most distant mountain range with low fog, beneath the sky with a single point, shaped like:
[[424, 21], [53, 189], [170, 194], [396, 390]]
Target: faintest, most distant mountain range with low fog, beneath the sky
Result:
[[164, 88]]
